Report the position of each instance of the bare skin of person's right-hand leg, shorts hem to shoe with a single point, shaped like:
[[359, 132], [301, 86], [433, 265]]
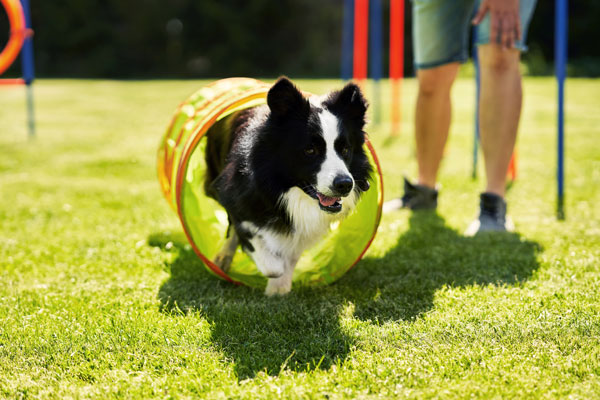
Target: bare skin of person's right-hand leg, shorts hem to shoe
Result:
[[500, 111]]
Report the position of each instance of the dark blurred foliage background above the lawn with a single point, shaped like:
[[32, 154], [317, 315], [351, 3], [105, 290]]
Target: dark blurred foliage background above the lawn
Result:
[[260, 38]]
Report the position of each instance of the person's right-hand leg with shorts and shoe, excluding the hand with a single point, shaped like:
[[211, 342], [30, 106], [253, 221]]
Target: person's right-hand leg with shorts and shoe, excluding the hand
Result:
[[499, 112]]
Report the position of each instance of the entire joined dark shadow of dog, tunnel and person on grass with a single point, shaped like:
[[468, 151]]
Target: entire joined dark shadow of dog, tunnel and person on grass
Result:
[[303, 330]]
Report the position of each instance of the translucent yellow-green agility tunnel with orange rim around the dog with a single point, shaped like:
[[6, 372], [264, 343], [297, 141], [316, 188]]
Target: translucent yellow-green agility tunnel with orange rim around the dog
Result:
[[181, 172]]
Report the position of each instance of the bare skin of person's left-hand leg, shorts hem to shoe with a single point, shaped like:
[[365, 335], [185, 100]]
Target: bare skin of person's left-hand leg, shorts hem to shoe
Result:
[[432, 119]]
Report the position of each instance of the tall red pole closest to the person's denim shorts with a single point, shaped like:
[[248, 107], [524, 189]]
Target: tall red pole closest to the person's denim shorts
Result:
[[396, 60]]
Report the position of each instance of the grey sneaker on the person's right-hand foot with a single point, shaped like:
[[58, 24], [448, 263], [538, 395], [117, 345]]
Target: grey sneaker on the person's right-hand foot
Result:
[[492, 216]]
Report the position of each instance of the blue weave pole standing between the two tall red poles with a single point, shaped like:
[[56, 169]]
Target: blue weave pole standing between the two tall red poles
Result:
[[376, 53]]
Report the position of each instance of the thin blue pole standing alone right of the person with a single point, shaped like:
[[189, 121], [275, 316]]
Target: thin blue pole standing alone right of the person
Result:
[[560, 60]]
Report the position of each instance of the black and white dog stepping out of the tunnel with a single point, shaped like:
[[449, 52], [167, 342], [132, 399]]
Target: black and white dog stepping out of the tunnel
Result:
[[284, 172]]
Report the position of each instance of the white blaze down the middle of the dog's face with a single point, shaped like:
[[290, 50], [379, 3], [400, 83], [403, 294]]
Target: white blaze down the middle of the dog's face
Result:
[[333, 164]]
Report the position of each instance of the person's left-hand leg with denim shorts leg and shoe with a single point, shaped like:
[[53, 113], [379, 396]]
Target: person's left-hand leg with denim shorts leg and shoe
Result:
[[440, 44]]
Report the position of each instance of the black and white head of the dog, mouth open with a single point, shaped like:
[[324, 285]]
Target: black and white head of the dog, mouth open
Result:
[[319, 143]]
